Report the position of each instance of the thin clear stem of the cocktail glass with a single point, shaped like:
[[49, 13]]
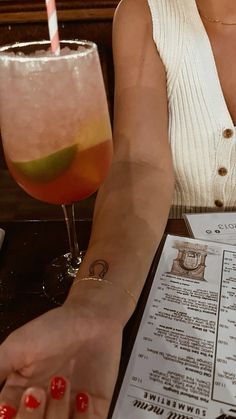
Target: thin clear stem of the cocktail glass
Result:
[[69, 215]]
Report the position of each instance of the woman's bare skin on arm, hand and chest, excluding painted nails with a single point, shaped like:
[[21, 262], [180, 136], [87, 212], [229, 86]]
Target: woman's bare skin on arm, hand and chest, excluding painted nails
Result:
[[82, 339]]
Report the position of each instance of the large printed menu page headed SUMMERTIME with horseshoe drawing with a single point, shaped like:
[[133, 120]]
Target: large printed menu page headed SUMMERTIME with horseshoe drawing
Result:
[[183, 363]]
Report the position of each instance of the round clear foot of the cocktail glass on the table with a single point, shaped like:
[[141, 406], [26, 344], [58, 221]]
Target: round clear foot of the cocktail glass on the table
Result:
[[59, 276]]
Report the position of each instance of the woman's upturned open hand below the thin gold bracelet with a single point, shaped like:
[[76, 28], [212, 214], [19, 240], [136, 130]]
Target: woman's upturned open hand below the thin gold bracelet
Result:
[[79, 342]]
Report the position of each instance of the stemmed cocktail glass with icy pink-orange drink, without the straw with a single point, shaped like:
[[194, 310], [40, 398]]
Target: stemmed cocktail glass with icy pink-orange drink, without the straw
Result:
[[56, 133]]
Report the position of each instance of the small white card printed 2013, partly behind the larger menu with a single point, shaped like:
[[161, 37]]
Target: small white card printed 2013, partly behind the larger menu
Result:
[[220, 227]]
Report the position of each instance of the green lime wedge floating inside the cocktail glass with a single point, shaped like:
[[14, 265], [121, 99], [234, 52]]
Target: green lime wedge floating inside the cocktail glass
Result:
[[47, 168]]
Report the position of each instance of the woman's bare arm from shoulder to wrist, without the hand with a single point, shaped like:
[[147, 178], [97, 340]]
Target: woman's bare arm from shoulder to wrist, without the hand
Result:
[[133, 204]]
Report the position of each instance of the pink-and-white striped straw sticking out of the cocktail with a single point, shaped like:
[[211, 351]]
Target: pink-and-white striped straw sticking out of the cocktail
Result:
[[53, 26]]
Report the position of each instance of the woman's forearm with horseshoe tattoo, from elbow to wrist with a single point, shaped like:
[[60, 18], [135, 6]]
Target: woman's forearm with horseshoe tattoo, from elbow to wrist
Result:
[[130, 216]]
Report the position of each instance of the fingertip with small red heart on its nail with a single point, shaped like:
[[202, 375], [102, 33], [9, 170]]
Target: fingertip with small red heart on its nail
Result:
[[32, 405]]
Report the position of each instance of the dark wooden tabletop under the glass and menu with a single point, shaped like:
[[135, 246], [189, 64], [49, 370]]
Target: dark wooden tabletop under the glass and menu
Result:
[[28, 247]]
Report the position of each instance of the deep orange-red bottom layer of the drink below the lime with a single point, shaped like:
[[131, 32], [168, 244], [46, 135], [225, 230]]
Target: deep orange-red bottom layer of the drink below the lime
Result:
[[87, 170]]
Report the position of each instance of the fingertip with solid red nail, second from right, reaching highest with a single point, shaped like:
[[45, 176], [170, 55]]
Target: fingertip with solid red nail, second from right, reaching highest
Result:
[[58, 399]]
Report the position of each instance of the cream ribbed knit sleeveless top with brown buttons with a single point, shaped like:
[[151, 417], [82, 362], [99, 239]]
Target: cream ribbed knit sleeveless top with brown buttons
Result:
[[201, 130]]
